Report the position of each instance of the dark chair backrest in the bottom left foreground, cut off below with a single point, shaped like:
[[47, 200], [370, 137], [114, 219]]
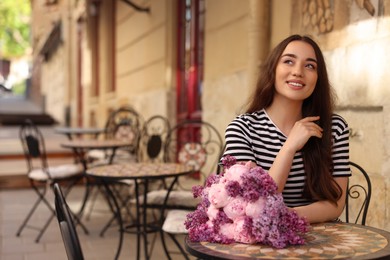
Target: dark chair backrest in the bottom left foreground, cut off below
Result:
[[67, 227]]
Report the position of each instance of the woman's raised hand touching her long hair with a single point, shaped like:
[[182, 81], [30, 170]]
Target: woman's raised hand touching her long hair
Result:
[[301, 132]]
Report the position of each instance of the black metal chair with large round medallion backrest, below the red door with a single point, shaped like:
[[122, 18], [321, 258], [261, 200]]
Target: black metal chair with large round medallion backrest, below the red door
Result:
[[197, 144]]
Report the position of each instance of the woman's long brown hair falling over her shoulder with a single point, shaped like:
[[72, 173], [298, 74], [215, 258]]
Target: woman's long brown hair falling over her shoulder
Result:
[[317, 152]]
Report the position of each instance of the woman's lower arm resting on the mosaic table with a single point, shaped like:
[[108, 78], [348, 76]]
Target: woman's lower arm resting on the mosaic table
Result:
[[322, 211]]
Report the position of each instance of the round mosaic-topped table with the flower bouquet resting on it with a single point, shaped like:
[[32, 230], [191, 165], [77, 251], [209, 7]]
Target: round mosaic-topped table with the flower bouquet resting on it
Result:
[[331, 240]]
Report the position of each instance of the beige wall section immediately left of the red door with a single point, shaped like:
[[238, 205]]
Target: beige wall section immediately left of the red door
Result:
[[144, 57]]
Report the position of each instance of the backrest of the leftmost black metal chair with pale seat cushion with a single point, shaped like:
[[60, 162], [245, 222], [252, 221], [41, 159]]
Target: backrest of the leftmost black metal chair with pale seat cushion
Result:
[[33, 145]]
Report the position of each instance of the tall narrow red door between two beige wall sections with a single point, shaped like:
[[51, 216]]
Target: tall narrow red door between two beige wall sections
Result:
[[190, 59]]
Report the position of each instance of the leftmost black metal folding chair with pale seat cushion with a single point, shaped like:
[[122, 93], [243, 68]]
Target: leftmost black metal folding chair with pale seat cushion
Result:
[[42, 176]]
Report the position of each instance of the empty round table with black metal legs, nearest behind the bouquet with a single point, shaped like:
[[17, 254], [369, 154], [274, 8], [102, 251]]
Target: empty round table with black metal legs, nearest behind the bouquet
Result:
[[141, 174]]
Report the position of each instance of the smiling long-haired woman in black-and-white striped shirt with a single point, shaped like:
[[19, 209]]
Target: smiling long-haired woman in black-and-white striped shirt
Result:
[[289, 129]]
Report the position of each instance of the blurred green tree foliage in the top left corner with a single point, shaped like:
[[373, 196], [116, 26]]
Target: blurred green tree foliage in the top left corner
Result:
[[14, 27]]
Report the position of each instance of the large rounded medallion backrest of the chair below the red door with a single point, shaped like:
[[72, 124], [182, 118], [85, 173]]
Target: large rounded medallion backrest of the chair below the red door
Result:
[[195, 143]]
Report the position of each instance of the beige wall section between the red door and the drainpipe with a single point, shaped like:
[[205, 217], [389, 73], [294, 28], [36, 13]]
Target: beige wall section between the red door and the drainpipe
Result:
[[226, 60]]
